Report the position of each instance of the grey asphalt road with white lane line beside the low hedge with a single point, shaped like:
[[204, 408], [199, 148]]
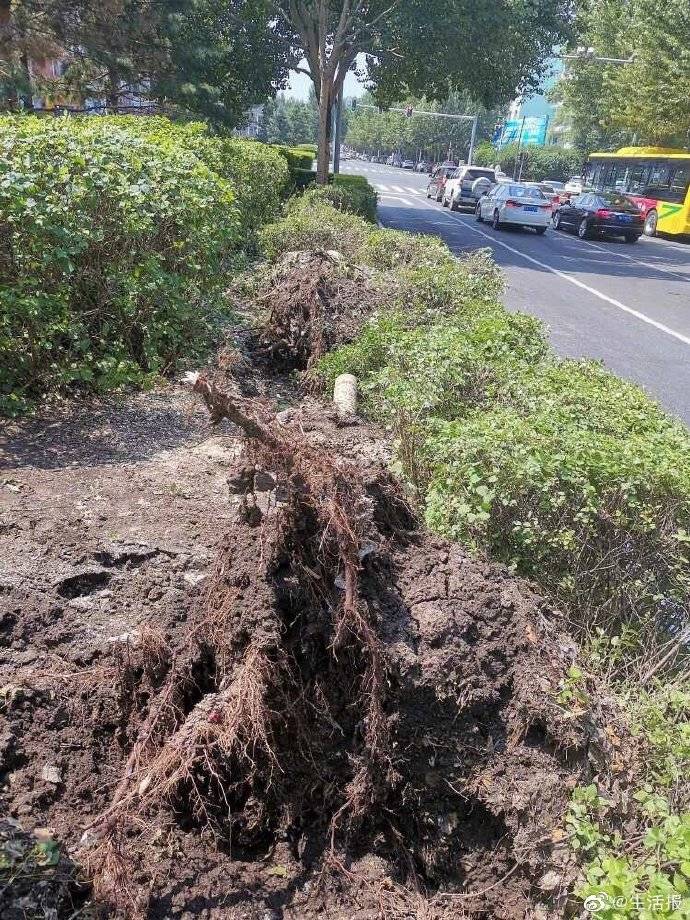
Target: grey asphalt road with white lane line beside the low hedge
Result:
[[626, 305]]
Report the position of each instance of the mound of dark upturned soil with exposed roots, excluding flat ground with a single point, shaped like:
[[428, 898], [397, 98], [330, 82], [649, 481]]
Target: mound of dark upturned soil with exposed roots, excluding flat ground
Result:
[[357, 718]]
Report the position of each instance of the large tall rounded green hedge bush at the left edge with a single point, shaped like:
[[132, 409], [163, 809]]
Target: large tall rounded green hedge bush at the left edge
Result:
[[114, 250]]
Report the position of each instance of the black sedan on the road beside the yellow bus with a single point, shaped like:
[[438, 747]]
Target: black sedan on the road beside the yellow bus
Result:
[[600, 213]]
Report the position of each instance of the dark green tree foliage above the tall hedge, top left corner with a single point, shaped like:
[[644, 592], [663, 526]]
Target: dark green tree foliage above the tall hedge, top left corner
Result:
[[210, 57]]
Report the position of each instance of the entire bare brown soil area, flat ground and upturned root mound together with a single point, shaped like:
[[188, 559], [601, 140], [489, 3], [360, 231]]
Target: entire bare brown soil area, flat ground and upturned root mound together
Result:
[[239, 681]]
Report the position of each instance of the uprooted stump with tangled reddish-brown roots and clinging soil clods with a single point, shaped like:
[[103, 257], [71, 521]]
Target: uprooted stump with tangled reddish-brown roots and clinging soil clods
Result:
[[355, 686]]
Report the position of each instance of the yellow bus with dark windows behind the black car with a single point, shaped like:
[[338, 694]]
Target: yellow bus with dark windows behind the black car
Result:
[[656, 178]]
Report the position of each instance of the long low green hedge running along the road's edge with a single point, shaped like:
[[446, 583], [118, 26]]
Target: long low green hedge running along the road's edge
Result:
[[557, 468]]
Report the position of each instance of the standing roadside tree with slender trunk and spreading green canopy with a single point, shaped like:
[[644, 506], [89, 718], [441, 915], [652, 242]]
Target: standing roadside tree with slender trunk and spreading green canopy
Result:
[[421, 46]]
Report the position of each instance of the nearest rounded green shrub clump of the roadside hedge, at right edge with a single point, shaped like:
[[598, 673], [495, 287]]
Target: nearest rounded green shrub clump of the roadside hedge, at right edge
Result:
[[577, 480]]
